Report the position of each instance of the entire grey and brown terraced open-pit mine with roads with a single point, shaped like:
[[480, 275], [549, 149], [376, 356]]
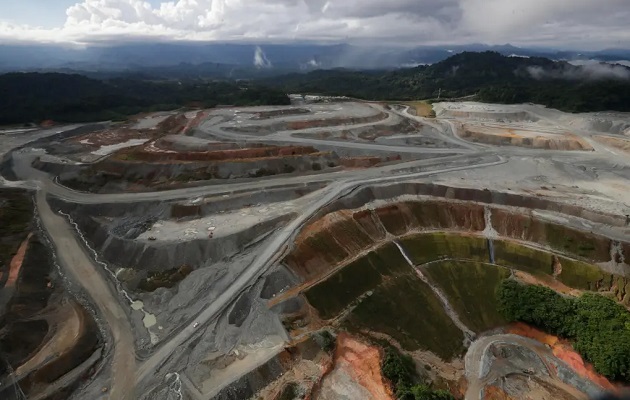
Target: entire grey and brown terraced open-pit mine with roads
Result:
[[325, 250]]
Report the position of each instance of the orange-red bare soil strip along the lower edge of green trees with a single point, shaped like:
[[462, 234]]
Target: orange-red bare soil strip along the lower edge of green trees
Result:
[[564, 351]]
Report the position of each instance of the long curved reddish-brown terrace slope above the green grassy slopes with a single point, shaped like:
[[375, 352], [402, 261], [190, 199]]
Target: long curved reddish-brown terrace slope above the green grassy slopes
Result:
[[339, 236]]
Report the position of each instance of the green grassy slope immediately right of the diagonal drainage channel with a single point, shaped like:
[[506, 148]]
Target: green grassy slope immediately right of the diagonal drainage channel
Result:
[[470, 288]]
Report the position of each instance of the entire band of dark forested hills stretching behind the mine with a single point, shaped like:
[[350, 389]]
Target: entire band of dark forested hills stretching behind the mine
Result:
[[488, 76]]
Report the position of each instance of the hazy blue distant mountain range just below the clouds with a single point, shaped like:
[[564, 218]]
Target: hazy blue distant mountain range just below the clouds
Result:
[[244, 61]]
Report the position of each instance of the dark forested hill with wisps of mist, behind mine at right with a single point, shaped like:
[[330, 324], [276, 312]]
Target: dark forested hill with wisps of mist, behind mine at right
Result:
[[490, 76]]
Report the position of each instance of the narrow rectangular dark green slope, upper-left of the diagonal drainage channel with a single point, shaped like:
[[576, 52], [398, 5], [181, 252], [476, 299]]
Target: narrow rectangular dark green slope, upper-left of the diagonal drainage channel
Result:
[[342, 288]]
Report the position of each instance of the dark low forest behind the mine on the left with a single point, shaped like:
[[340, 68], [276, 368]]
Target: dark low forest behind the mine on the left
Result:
[[34, 97]]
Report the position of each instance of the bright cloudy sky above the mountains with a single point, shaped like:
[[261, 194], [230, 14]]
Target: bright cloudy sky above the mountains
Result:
[[584, 24]]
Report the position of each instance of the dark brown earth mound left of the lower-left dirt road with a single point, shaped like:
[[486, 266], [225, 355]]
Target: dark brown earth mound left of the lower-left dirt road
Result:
[[44, 334]]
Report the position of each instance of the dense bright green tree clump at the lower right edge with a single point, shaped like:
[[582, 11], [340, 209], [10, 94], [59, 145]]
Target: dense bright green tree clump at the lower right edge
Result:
[[599, 327]]
